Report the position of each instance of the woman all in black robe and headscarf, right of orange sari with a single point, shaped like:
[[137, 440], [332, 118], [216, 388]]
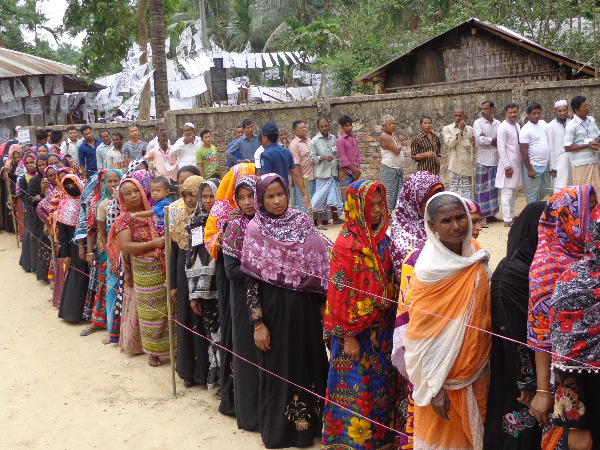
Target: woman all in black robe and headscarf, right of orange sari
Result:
[[508, 423]]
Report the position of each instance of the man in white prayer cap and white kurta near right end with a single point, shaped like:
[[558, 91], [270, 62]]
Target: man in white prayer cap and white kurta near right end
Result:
[[556, 138]]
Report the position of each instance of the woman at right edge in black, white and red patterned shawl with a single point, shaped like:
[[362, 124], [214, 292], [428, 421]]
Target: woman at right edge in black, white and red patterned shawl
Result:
[[575, 336]]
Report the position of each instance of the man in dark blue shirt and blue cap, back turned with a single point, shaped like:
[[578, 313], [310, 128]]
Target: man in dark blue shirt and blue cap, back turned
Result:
[[279, 160]]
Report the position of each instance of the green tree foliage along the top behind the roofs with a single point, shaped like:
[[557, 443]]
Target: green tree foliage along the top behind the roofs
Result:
[[367, 33]]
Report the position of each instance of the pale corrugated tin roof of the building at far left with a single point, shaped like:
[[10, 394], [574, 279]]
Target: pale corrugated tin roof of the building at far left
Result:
[[17, 64]]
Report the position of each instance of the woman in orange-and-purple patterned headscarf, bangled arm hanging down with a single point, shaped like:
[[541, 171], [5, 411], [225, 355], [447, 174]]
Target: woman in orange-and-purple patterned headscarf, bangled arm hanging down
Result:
[[561, 243]]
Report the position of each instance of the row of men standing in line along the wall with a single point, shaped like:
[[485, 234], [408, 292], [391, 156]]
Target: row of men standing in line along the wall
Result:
[[489, 161]]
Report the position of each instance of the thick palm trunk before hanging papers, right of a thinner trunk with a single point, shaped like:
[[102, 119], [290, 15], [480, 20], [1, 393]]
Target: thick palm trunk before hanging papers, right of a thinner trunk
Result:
[[159, 57]]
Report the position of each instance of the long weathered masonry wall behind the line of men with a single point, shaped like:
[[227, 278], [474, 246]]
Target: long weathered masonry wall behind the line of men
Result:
[[367, 111]]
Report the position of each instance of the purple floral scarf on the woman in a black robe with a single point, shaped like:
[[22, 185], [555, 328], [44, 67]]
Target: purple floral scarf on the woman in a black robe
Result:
[[285, 250]]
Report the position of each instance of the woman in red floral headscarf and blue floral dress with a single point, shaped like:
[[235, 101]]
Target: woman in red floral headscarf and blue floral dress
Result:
[[360, 312]]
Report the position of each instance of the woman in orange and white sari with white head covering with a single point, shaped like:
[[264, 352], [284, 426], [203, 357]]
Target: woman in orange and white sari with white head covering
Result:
[[447, 354]]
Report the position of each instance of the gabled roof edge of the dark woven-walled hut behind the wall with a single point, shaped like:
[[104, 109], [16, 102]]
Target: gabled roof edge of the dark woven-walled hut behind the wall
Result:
[[498, 30]]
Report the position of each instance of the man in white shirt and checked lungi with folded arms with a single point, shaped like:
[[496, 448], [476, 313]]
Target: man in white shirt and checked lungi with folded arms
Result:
[[485, 130]]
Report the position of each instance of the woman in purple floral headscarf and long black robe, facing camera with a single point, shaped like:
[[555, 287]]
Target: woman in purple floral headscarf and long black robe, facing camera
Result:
[[287, 260]]
